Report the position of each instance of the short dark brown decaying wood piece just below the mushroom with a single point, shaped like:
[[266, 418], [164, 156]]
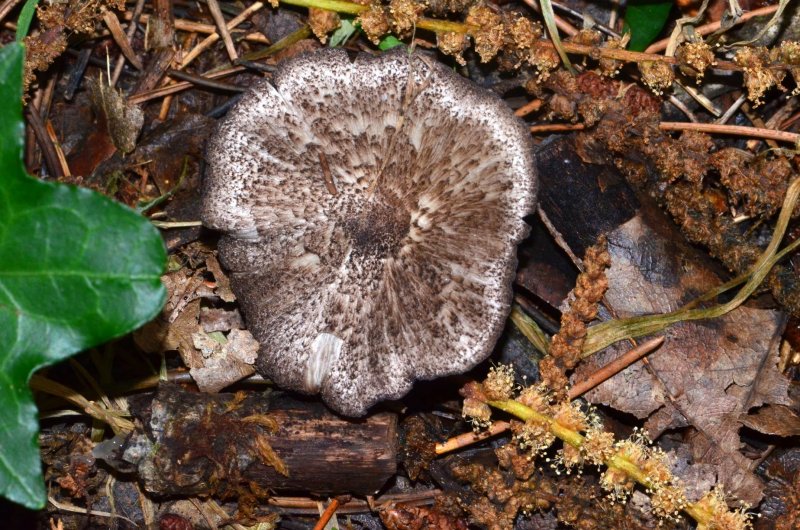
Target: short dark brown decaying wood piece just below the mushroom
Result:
[[190, 443]]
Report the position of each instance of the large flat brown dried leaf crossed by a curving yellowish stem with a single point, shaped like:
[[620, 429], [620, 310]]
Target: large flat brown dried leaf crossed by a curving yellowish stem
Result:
[[707, 373]]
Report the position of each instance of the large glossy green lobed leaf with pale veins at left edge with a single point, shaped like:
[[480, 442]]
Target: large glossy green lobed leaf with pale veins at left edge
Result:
[[76, 269]]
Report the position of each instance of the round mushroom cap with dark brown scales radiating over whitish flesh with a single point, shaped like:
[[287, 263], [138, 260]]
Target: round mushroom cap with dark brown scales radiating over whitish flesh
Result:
[[370, 211]]
